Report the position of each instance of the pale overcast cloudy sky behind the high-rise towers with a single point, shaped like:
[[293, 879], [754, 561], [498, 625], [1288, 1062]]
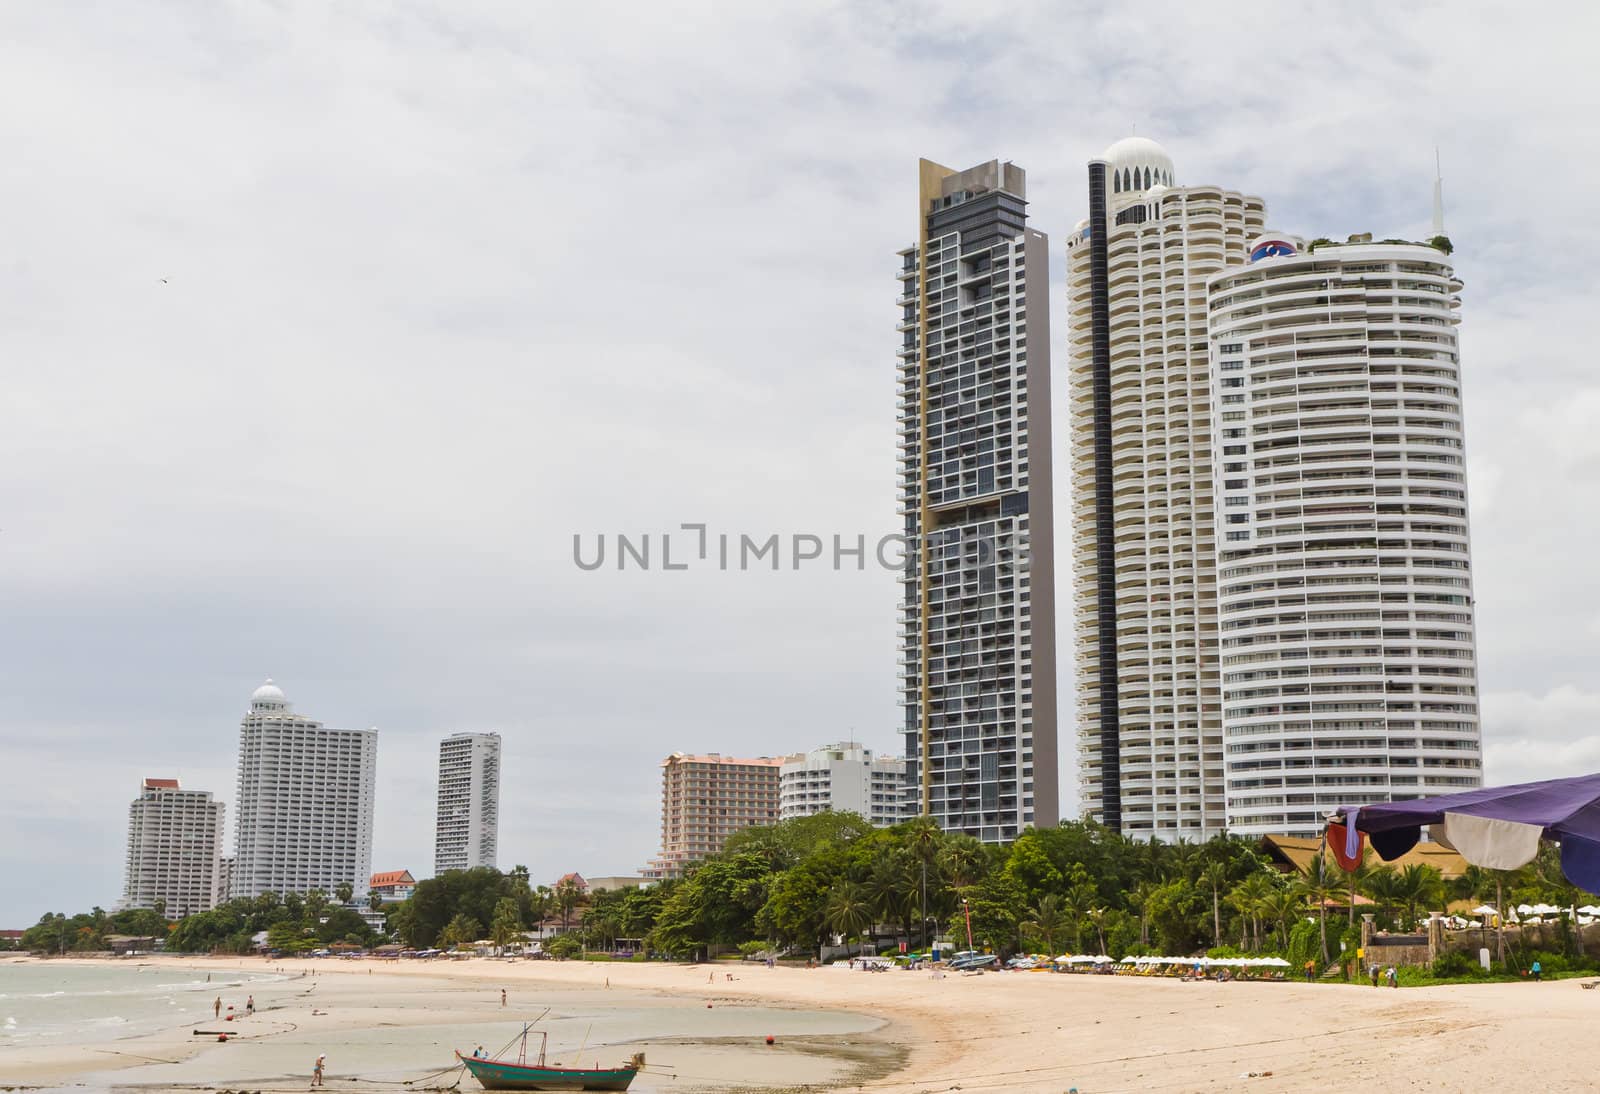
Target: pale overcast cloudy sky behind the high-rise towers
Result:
[[326, 329]]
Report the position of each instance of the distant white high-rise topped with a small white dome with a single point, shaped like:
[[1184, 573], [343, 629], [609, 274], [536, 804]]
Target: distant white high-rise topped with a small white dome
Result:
[[305, 802]]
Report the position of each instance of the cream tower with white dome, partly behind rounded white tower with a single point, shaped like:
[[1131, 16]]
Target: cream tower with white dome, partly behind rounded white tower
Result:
[[1150, 706]]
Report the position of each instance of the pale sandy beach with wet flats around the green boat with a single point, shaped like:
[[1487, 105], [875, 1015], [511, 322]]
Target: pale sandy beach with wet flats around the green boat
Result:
[[892, 1032]]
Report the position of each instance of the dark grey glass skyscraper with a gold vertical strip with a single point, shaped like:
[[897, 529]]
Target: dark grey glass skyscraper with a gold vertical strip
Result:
[[975, 492]]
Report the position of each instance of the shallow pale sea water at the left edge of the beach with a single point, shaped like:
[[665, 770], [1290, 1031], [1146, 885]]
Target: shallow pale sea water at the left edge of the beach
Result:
[[44, 1002]]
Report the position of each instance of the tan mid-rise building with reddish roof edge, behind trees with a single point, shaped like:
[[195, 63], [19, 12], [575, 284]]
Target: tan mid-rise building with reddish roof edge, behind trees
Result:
[[708, 799]]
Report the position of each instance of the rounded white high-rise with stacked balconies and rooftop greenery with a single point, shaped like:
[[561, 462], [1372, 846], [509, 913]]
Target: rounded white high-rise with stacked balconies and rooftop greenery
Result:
[[1345, 570]]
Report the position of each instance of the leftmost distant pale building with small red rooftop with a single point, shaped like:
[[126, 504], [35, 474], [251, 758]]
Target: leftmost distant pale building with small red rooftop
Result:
[[175, 844]]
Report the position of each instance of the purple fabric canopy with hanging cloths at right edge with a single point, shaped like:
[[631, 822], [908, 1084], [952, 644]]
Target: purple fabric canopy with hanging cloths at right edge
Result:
[[1498, 828]]
